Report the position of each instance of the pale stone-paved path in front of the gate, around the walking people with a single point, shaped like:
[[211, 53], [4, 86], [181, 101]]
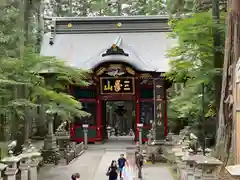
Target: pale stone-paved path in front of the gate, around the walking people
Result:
[[93, 164]]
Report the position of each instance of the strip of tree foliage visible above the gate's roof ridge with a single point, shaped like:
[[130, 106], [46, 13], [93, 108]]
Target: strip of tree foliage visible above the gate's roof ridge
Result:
[[105, 8]]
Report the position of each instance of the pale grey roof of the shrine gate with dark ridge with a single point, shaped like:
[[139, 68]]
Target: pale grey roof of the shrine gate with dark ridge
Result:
[[84, 46]]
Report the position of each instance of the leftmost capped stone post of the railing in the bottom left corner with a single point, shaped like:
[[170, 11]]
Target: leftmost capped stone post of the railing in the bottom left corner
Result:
[[12, 168]]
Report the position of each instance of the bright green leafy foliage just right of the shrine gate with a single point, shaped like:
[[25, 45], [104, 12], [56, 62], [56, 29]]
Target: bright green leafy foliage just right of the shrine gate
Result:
[[192, 64]]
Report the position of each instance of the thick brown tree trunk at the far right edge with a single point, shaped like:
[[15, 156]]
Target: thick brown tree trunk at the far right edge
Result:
[[232, 47]]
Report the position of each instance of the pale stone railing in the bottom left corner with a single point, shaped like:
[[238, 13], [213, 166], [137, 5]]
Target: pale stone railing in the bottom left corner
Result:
[[23, 166]]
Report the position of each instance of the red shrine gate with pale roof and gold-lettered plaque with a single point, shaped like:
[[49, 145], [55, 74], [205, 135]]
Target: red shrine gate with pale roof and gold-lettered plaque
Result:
[[126, 56]]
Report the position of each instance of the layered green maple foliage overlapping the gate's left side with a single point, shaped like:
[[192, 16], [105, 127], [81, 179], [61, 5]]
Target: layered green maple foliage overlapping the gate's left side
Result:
[[24, 90]]
